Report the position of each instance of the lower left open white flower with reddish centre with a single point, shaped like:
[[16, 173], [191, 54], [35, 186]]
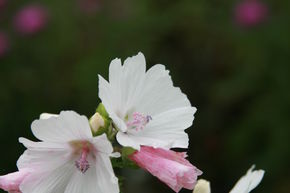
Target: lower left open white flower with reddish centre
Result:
[[68, 159]]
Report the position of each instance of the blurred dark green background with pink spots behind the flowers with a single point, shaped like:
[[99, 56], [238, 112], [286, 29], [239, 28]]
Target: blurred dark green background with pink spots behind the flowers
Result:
[[231, 58]]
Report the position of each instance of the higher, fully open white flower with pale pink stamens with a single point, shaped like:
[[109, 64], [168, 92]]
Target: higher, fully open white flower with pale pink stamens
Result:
[[145, 106]]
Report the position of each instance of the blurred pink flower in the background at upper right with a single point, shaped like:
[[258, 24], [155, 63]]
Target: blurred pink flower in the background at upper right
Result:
[[250, 13]]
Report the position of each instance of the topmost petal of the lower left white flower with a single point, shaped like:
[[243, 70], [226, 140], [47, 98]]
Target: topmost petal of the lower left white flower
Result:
[[66, 127]]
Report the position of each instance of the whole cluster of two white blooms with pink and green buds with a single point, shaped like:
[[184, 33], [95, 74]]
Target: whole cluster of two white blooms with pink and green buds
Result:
[[141, 110]]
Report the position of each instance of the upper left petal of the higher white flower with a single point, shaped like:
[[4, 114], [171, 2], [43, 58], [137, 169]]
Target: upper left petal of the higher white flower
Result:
[[125, 86]]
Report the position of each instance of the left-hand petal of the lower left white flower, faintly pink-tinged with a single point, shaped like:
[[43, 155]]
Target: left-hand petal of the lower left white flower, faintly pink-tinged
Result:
[[51, 167]]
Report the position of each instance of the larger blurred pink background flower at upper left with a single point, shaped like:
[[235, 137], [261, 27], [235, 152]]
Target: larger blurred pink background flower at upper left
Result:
[[30, 19]]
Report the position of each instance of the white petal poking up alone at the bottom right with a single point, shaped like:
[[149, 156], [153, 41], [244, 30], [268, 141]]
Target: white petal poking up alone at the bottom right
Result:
[[248, 182]]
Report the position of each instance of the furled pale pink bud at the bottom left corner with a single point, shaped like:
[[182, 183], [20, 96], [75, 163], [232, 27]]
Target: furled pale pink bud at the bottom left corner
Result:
[[12, 181]]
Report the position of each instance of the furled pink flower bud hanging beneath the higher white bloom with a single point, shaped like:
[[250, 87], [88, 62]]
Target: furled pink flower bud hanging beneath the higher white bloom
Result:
[[168, 166]]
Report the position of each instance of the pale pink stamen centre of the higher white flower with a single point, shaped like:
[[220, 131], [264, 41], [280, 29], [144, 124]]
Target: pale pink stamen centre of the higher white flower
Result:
[[139, 121]]
